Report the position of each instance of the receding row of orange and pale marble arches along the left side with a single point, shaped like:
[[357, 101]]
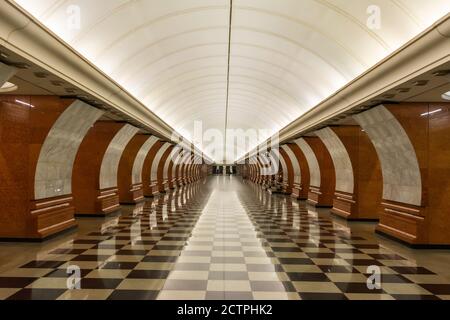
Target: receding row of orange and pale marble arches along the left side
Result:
[[61, 157]]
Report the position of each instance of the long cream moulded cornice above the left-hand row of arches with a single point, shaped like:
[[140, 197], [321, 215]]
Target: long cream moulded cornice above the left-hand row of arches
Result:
[[24, 35]]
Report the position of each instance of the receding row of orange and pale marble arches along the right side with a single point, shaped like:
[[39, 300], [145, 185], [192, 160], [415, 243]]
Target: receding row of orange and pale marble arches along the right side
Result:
[[391, 164]]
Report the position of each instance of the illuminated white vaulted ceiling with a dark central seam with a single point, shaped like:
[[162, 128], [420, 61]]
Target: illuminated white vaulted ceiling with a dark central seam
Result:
[[285, 55]]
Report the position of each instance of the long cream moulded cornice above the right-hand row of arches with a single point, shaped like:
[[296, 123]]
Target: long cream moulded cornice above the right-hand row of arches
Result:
[[425, 52]]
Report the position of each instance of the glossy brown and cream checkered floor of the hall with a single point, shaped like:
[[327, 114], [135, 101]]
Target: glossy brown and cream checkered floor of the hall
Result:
[[223, 240]]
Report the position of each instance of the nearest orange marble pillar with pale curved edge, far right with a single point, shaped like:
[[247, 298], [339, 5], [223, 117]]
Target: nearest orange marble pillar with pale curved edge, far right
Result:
[[411, 140]]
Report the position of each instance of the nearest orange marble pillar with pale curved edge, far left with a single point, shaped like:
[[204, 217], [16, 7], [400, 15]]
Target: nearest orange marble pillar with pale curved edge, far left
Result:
[[39, 138]]
